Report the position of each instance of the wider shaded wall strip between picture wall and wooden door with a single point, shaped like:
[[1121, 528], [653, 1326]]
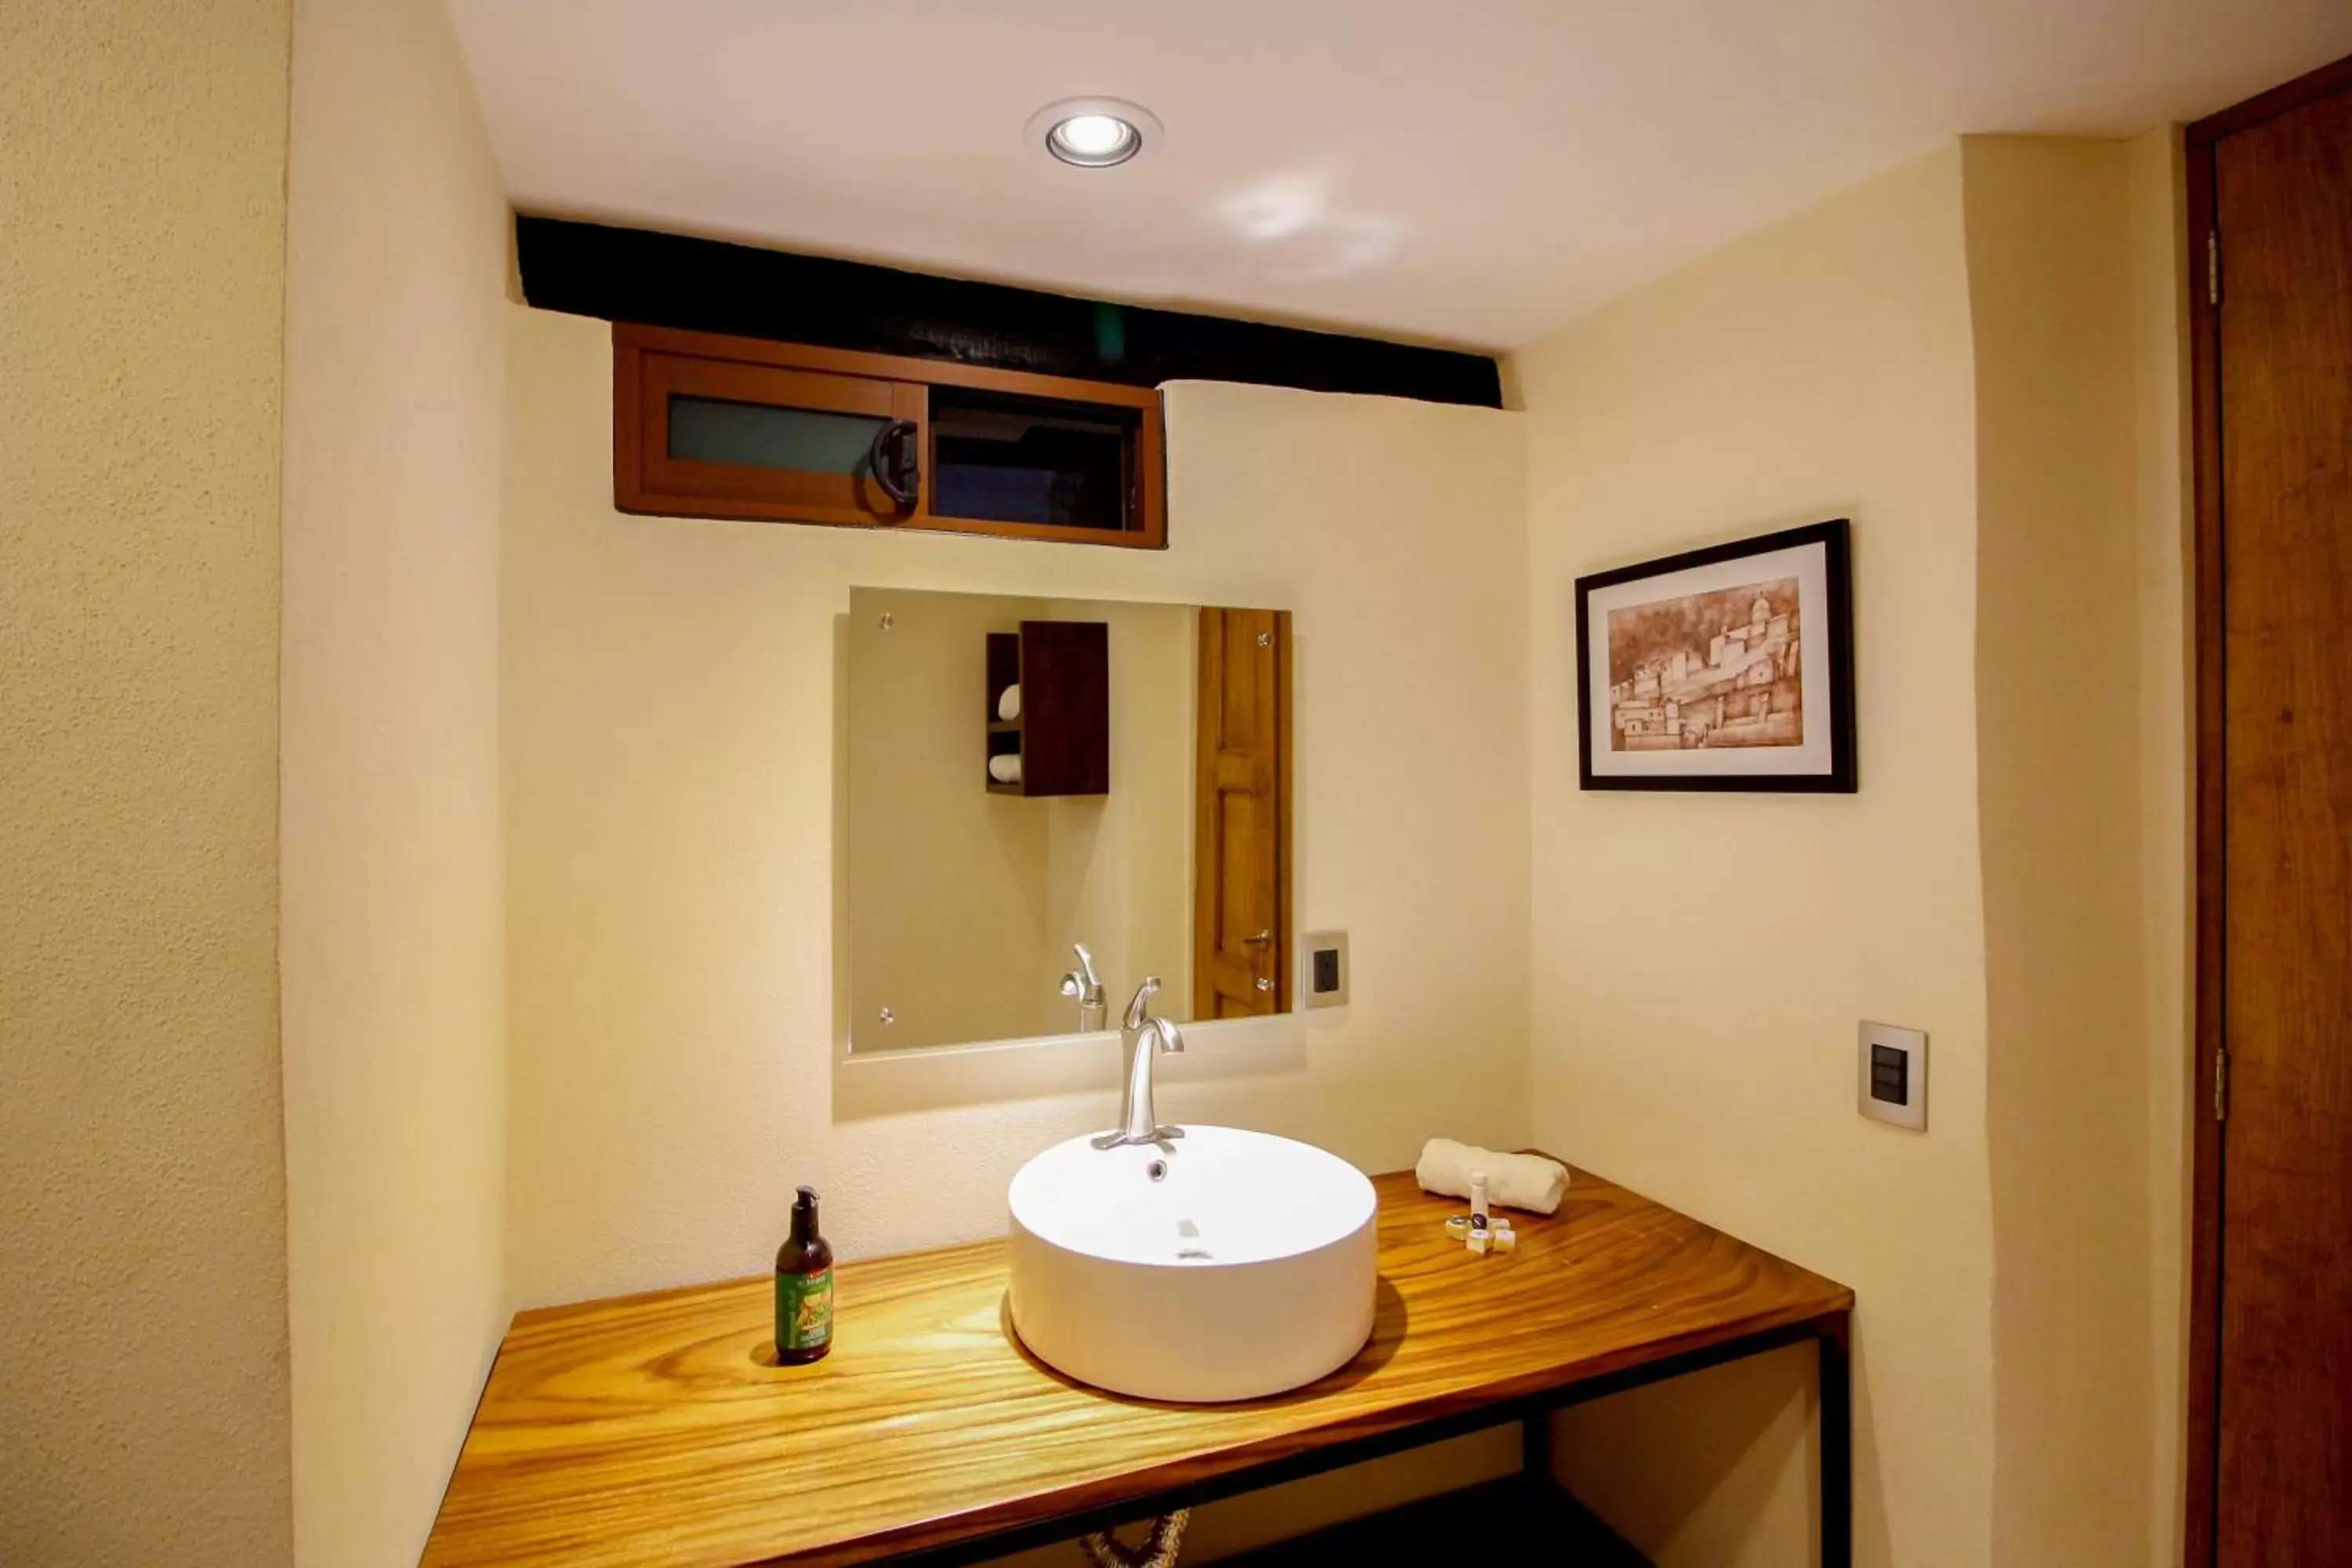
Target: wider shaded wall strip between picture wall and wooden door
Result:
[[2059, 775]]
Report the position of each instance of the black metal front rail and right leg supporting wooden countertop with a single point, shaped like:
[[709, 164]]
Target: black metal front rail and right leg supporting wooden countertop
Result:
[[1831, 1336]]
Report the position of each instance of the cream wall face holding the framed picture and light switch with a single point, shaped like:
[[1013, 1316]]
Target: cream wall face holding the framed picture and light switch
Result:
[[1699, 963]]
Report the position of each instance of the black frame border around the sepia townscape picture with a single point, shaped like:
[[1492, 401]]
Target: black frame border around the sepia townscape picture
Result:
[[1843, 775]]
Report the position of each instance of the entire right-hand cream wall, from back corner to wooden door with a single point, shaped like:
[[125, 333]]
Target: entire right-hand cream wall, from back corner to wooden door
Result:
[[1979, 361]]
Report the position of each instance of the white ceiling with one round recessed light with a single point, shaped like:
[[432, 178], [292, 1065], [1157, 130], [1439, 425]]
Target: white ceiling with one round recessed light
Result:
[[1450, 170]]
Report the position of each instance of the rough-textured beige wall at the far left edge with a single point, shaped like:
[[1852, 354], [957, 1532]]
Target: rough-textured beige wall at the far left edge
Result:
[[142, 1292]]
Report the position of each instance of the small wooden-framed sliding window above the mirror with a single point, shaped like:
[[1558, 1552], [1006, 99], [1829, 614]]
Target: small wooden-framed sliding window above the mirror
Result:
[[716, 427]]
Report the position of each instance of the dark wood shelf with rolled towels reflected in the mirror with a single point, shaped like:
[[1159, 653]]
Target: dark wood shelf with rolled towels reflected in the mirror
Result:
[[1064, 728]]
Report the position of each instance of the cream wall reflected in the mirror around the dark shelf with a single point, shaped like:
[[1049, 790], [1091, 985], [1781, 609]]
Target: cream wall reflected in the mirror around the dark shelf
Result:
[[963, 904]]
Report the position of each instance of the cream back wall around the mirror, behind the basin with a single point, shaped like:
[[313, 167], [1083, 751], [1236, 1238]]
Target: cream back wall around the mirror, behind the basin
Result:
[[669, 772]]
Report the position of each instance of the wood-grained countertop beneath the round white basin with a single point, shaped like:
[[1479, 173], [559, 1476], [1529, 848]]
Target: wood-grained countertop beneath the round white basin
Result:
[[660, 1430]]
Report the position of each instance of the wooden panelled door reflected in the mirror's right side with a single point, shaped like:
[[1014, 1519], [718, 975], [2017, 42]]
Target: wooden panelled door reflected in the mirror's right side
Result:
[[1243, 817]]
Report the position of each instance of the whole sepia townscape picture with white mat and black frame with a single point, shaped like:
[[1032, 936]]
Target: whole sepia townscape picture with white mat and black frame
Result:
[[1723, 669]]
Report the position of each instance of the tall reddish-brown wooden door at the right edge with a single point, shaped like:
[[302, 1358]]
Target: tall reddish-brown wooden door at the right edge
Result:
[[2276, 565]]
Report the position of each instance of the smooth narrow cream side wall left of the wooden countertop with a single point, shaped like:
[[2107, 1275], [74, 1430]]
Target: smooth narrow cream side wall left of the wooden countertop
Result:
[[392, 883]]
